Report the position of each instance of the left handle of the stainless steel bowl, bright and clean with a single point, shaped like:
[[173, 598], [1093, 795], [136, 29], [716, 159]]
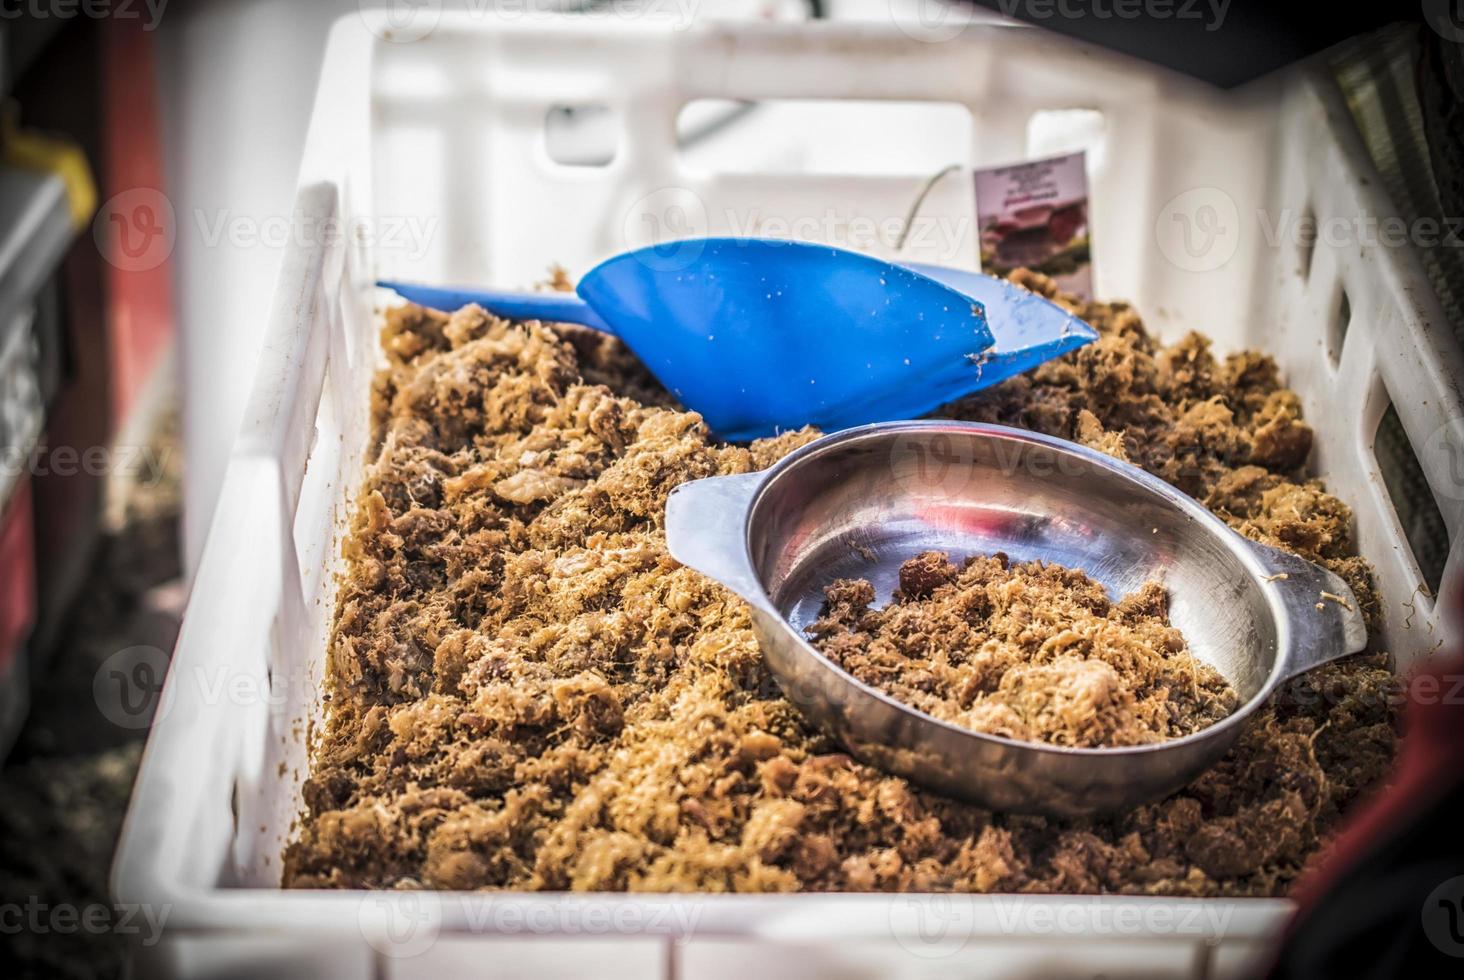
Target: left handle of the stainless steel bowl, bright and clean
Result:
[[706, 530]]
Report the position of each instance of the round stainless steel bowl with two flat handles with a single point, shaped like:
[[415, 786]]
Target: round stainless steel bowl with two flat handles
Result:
[[862, 502]]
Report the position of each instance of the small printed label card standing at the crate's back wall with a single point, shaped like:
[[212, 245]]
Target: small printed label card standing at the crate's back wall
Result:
[[1036, 215]]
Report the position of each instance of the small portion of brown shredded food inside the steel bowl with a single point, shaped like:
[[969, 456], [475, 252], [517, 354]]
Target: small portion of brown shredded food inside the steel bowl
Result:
[[1030, 651]]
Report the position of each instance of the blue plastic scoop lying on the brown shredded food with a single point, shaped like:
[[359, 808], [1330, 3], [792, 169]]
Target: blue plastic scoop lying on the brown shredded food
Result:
[[762, 336]]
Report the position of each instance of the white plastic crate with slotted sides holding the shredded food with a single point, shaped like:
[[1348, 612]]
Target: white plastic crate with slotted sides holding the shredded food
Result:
[[450, 131]]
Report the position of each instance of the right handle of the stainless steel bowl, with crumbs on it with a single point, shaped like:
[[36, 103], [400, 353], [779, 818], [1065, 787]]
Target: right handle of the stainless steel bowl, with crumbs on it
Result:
[[1326, 620]]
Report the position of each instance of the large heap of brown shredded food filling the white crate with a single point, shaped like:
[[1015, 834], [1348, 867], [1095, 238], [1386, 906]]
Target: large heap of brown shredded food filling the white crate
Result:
[[529, 694]]
